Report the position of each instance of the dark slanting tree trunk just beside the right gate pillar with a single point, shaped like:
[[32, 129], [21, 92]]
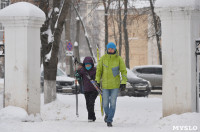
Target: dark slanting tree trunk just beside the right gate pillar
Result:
[[157, 27]]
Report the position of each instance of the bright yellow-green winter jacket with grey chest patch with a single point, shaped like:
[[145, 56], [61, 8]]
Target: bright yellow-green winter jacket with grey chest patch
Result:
[[108, 71]]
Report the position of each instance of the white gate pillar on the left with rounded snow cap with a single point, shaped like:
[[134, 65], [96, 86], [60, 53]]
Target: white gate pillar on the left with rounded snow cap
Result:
[[22, 22]]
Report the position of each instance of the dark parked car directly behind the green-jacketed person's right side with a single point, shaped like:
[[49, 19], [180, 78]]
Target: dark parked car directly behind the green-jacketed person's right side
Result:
[[136, 86]]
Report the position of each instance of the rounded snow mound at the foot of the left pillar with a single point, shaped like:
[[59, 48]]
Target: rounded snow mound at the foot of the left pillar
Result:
[[13, 113]]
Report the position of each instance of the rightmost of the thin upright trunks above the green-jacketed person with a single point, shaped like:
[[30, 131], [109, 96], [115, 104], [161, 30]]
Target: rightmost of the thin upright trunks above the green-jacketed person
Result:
[[126, 33]]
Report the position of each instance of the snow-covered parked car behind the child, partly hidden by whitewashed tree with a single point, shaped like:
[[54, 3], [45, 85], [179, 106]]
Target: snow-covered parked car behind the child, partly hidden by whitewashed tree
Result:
[[64, 84]]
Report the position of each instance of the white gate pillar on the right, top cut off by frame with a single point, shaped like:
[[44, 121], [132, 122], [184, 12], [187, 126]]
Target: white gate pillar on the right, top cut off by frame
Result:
[[180, 22]]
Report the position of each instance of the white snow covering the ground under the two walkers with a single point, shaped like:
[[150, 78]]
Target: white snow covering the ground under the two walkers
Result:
[[132, 115]]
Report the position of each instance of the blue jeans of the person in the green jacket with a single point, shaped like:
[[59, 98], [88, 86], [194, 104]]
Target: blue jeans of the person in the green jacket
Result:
[[109, 102]]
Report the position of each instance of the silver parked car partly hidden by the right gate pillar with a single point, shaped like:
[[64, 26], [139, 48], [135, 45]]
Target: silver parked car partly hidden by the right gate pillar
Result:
[[151, 73]]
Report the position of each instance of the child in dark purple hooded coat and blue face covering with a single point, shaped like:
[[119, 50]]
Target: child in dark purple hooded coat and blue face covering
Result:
[[90, 92]]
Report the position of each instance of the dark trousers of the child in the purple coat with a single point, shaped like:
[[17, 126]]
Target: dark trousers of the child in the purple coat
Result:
[[90, 98]]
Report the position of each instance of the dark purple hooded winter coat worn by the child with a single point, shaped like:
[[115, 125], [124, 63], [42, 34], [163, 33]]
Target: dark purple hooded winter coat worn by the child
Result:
[[92, 72]]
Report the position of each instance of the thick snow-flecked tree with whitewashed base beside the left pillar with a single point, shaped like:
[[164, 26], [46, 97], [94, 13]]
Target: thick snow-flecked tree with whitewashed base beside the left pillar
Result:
[[50, 39]]
